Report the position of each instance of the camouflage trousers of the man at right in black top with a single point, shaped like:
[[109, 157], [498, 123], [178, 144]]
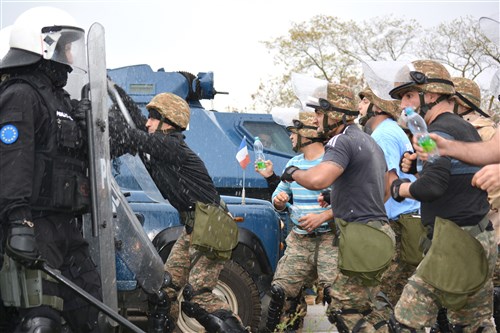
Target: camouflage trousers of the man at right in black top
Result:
[[418, 305]]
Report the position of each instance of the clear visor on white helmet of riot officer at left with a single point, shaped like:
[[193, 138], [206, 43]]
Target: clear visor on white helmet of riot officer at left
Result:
[[65, 45]]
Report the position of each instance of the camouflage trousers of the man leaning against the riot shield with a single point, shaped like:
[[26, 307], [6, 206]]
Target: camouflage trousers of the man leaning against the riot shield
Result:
[[188, 265]]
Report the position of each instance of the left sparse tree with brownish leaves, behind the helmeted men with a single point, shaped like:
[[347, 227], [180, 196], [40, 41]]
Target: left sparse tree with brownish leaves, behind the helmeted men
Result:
[[331, 49]]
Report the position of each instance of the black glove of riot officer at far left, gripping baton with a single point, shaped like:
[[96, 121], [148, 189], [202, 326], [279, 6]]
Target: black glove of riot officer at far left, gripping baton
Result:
[[21, 243]]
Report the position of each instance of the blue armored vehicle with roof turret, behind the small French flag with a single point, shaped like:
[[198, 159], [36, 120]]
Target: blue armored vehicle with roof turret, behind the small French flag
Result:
[[215, 136]]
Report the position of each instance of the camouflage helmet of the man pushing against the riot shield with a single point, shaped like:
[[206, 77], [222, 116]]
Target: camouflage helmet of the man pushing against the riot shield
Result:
[[173, 108]]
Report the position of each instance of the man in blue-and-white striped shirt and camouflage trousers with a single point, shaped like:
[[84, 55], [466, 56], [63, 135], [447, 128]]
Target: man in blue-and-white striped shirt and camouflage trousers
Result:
[[309, 254]]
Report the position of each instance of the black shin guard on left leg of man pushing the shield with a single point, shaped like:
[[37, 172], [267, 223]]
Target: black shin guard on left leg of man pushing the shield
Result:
[[159, 320]]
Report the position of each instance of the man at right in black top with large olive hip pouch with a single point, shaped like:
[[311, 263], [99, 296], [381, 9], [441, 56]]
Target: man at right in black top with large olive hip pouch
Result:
[[456, 271]]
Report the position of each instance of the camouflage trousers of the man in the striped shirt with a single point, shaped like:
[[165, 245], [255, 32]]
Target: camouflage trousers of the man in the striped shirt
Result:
[[306, 260]]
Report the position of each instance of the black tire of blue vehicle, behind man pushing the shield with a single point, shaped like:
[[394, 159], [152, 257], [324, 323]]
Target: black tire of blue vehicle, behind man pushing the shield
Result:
[[236, 286]]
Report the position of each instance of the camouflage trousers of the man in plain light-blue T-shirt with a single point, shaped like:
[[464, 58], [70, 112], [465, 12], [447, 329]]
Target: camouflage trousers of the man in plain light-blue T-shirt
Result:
[[398, 273]]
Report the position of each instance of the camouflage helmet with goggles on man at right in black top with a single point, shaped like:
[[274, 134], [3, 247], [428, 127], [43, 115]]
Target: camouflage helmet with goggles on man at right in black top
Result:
[[423, 76]]
